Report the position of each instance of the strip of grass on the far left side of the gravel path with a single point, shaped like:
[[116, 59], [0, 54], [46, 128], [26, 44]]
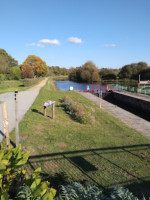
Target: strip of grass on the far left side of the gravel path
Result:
[[12, 85]]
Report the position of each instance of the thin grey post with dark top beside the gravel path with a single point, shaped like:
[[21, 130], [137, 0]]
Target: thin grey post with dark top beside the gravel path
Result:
[[16, 116]]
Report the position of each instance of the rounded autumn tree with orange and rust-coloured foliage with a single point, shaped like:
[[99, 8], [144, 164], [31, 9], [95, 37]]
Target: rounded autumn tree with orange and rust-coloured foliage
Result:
[[34, 64]]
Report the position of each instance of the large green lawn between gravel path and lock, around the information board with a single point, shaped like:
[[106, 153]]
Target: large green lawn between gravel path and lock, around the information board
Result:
[[104, 153]]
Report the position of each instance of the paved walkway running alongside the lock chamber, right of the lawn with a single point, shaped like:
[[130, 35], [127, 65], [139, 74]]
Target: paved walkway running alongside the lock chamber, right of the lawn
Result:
[[128, 118]]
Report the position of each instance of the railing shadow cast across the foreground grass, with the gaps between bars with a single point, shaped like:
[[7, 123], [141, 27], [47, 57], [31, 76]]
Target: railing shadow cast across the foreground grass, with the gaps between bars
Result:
[[97, 166]]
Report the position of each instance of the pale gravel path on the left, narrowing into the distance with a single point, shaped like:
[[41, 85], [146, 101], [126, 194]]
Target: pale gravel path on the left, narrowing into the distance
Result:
[[25, 100]]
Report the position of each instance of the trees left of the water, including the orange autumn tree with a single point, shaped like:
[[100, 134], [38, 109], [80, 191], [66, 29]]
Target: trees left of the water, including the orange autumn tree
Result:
[[32, 67]]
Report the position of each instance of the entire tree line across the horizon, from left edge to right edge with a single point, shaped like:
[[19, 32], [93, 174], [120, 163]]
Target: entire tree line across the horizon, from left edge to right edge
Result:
[[34, 66]]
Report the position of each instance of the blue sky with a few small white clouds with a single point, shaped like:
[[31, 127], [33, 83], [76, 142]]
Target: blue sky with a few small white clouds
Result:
[[68, 33]]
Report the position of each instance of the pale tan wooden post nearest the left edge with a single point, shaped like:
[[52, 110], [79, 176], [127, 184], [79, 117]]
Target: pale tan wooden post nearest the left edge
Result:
[[6, 129]]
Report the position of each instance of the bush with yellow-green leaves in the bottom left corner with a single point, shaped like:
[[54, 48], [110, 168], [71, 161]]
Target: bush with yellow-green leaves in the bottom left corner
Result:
[[13, 181]]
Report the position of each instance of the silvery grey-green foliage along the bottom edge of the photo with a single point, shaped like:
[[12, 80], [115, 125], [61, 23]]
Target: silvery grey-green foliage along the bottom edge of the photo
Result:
[[76, 191]]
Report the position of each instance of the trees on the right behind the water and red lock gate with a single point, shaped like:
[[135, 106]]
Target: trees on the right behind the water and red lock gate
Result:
[[89, 73]]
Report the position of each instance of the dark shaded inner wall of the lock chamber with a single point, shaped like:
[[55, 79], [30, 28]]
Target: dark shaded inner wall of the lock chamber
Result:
[[141, 105]]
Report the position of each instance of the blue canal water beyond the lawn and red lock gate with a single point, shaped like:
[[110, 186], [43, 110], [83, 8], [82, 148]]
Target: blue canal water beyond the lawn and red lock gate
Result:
[[65, 85]]
